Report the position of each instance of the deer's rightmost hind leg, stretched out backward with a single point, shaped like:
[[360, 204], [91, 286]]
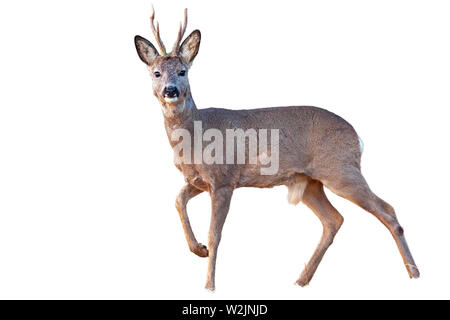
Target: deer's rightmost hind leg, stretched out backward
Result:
[[352, 186]]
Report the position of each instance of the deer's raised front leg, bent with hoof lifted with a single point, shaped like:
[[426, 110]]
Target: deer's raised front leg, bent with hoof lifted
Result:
[[187, 193]]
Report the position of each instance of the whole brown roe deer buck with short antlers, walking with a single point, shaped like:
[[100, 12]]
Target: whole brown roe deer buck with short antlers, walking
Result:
[[317, 149]]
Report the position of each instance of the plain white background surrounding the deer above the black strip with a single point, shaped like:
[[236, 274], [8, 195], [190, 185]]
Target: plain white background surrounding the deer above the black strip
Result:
[[87, 181]]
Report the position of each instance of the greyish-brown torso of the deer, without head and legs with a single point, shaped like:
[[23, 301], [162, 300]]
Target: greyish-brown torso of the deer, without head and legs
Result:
[[305, 137]]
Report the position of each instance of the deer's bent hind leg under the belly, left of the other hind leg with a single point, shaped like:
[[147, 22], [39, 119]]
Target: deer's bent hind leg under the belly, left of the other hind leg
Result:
[[314, 197]]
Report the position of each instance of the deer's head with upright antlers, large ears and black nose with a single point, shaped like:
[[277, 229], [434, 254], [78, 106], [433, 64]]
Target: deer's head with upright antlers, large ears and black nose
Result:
[[169, 71]]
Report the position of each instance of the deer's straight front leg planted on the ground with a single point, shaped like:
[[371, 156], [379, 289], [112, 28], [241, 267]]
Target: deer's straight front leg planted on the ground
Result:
[[220, 199]]
